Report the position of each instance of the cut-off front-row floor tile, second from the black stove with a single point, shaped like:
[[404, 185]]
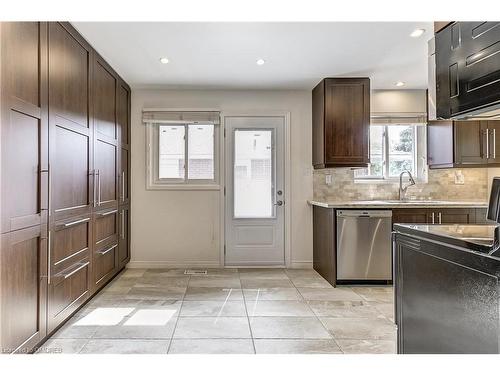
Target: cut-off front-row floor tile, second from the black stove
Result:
[[286, 346]]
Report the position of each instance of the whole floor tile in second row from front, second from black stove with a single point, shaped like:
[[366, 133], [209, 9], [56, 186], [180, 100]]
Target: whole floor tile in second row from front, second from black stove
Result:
[[288, 328]]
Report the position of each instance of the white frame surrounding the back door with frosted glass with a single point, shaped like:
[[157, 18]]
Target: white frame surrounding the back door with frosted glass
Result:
[[287, 180]]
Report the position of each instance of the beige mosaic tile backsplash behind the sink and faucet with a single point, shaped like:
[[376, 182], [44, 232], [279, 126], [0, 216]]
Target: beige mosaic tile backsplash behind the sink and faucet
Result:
[[440, 186]]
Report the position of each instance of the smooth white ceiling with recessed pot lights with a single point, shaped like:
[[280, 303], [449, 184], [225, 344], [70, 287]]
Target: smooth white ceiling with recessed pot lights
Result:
[[297, 55]]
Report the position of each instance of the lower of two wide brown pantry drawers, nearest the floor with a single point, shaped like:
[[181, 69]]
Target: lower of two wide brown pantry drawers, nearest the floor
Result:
[[69, 289]]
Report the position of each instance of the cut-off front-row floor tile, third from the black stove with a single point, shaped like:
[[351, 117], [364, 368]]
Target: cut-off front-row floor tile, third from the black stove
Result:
[[211, 346]]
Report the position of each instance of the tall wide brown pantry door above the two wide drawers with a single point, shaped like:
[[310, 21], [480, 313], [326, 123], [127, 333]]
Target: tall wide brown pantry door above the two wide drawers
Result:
[[70, 125]]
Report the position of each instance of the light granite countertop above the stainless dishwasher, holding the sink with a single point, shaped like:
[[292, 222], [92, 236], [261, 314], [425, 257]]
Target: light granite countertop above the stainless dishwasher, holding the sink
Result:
[[399, 204]]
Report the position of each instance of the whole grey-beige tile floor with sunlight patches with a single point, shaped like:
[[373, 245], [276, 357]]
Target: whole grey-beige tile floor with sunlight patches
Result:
[[229, 311]]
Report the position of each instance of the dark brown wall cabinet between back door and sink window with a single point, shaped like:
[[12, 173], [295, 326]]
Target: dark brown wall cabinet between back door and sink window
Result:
[[341, 123]]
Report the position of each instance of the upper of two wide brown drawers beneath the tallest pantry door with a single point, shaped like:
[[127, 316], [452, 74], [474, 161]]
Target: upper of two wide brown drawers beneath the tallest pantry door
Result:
[[70, 239]]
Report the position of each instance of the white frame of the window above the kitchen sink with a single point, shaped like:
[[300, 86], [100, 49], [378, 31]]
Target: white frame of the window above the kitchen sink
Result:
[[418, 175]]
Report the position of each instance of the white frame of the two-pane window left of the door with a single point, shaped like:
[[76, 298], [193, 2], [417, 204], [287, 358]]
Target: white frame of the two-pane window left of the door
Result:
[[153, 182]]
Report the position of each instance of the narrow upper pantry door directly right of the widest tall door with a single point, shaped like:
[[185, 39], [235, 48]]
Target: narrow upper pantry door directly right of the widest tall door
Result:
[[105, 135]]
